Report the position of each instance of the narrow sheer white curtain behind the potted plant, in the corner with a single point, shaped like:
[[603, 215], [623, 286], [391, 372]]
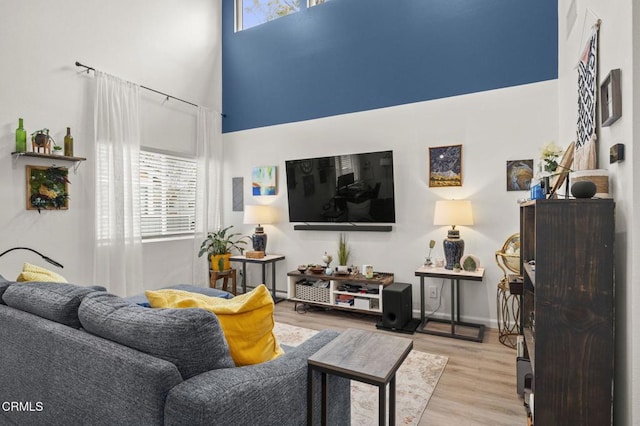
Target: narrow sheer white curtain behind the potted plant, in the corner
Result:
[[209, 186]]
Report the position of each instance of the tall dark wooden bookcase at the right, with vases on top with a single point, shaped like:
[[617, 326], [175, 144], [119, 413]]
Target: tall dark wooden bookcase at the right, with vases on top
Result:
[[567, 312]]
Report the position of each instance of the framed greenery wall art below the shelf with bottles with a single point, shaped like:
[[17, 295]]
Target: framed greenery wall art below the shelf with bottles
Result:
[[47, 188]]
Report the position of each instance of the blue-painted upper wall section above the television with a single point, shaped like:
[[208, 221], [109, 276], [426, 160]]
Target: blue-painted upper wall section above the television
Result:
[[354, 55]]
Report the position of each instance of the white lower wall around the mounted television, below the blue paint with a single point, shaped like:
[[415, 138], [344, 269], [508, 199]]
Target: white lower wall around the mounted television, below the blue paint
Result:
[[493, 127]]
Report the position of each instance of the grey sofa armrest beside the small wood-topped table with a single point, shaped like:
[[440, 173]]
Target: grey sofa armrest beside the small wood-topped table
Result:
[[274, 392]]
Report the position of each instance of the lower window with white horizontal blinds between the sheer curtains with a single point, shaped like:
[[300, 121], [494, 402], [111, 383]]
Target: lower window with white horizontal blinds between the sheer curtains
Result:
[[167, 194]]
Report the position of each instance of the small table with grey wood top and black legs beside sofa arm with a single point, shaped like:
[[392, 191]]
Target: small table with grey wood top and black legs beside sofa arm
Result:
[[366, 356]]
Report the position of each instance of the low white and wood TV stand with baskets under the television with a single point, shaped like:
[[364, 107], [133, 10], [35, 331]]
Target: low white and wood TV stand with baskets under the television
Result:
[[326, 290]]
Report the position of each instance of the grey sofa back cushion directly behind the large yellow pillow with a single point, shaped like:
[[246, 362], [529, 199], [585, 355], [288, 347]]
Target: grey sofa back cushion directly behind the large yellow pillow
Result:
[[189, 338]]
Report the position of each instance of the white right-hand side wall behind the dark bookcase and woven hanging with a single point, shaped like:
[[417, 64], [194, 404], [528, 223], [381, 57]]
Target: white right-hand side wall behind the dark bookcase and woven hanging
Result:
[[616, 50]]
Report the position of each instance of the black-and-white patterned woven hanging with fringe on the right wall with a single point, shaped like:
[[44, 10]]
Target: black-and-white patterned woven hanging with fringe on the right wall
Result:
[[585, 147]]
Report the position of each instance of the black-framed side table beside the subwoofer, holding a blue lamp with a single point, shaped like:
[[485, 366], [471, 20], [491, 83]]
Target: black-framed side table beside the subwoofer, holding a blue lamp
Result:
[[455, 277]]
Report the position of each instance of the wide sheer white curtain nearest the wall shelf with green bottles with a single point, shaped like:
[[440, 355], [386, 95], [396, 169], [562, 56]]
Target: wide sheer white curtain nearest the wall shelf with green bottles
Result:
[[118, 254]]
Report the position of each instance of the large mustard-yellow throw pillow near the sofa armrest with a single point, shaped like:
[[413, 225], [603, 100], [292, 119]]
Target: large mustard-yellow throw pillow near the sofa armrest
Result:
[[246, 320]]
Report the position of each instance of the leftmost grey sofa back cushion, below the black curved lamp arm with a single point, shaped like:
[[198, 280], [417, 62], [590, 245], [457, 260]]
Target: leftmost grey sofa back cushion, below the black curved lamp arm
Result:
[[57, 302]]
